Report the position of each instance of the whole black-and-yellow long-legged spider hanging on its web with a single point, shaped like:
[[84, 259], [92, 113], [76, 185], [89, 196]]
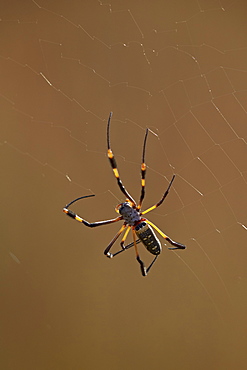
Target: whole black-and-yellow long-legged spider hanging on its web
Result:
[[130, 212]]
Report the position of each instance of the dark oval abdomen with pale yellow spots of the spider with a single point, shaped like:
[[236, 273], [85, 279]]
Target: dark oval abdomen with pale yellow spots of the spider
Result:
[[147, 236]]
